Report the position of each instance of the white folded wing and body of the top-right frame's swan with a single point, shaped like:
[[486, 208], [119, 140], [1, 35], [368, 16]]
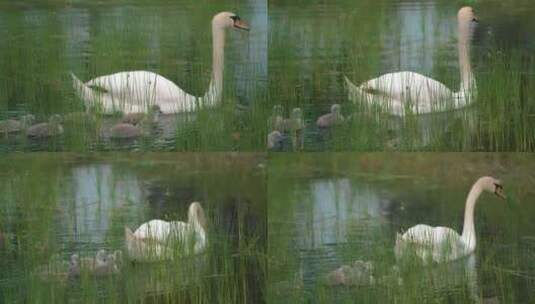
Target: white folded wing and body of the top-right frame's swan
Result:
[[409, 91]]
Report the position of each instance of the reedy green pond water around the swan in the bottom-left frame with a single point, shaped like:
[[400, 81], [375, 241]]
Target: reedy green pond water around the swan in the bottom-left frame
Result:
[[53, 206]]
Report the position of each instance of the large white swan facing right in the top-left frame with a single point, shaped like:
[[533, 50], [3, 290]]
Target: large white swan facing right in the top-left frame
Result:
[[136, 91]]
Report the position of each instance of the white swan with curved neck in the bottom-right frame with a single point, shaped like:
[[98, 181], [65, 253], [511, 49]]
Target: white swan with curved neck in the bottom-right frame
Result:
[[442, 244]]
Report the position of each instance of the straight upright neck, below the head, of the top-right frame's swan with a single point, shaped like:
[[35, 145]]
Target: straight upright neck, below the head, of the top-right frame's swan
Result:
[[467, 79]]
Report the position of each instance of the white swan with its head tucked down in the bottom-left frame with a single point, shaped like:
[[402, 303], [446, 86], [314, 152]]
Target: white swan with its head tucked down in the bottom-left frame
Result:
[[158, 239]]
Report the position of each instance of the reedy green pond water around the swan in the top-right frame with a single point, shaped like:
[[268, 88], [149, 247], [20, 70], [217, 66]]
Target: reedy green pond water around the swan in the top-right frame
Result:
[[314, 44]]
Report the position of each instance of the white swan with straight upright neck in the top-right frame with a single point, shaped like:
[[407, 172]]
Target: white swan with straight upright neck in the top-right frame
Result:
[[406, 91]]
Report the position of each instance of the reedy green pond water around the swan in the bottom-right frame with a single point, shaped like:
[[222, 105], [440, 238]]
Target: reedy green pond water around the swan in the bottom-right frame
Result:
[[329, 210]]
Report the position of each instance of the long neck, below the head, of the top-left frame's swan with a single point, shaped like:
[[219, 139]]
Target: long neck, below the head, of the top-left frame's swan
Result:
[[213, 95]]
